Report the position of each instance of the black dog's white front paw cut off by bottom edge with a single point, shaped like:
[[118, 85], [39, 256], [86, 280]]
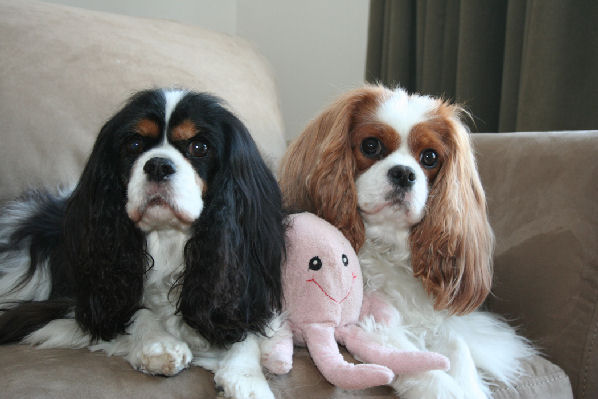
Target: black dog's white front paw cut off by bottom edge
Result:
[[240, 383]]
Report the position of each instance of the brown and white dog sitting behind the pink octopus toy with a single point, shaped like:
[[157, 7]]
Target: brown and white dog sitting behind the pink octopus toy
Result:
[[397, 175]]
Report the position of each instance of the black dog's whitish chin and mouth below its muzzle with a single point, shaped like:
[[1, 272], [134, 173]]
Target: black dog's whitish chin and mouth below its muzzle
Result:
[[160, 214]]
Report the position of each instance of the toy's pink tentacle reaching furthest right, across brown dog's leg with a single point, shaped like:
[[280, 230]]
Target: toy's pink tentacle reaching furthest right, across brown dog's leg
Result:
[[401, 362]]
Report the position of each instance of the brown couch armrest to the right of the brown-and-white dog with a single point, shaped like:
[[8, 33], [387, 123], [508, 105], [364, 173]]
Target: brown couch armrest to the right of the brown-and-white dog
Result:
[[542, 195]]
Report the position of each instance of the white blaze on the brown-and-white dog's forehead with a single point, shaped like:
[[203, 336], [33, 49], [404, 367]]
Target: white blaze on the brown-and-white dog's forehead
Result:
[[402, 111]]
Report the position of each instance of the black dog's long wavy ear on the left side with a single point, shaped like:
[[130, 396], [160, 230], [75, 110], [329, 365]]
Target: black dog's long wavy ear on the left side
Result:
[[105, 252]]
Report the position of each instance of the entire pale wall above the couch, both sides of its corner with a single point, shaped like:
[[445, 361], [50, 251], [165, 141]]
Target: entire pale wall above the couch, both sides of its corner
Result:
[[317, 48]]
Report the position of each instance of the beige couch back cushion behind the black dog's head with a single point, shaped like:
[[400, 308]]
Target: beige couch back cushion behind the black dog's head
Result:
[[64, 71]]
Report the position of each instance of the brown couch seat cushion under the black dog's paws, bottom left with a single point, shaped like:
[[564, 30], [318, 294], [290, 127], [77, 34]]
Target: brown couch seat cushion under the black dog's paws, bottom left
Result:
[[77, 373]]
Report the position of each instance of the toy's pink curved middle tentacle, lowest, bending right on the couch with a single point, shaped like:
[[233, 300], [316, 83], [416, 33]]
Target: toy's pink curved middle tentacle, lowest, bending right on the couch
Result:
[[324, 351]]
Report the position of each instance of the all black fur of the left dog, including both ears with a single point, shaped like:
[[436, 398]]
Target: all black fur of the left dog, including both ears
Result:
[[98, 259]]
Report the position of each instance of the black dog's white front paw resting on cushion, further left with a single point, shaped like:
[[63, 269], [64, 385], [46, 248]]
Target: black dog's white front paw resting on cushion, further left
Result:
[[164, 357]]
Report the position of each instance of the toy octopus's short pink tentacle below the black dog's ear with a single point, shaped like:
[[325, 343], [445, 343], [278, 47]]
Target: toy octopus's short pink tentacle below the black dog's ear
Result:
[[277, 350]]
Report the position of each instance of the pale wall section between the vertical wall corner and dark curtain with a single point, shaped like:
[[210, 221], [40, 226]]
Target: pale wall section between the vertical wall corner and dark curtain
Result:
[[317, 49]]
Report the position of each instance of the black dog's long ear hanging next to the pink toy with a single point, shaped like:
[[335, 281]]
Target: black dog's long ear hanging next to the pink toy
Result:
[[231, 284]]
